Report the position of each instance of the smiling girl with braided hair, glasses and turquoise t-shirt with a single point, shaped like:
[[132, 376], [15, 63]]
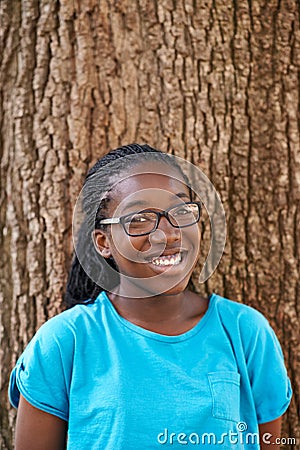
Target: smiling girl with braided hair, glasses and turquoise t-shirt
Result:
[[139, 361]]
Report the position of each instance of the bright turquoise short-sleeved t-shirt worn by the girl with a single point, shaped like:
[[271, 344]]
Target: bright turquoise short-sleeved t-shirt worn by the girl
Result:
[[121, 387]]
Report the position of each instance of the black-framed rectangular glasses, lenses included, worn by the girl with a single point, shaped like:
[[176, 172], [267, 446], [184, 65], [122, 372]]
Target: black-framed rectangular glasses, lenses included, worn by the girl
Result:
[[145, 222]]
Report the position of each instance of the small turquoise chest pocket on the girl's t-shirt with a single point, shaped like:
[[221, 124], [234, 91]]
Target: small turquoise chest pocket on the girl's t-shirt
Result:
[[225, 392]]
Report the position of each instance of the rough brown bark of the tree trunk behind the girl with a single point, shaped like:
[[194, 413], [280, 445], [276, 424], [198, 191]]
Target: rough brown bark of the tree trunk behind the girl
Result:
[[213, 81]]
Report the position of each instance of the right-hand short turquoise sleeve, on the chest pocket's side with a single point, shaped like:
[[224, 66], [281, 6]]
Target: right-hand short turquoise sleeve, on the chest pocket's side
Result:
[[271, 387]]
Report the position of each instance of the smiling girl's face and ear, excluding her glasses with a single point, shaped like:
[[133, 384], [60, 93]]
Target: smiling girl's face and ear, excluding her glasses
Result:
[[137, 256]]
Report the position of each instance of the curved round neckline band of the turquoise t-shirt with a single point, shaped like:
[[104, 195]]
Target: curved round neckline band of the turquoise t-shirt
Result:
[[157, 336]]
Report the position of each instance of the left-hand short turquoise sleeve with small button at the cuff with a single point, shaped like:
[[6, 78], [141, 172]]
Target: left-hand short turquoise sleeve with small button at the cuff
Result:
[[43, 372]]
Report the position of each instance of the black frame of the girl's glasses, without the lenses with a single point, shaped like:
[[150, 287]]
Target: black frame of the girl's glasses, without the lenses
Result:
[[159, 215]]
